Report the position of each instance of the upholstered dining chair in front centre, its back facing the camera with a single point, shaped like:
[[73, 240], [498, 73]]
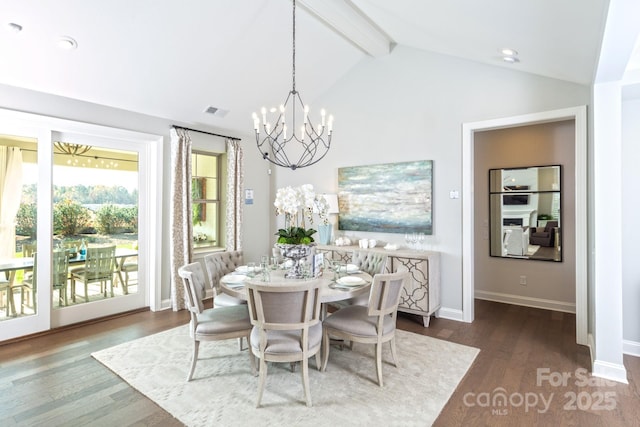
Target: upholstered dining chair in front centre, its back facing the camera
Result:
[[286, 327]]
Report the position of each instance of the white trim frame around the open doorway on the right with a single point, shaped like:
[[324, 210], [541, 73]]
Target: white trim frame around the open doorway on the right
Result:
[[579, 116]]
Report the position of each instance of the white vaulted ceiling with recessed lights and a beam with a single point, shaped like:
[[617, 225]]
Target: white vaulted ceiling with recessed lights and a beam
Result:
[[173, 59]]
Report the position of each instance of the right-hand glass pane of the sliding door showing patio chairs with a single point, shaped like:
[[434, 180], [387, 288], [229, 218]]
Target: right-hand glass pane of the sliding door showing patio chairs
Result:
[[95, 228]]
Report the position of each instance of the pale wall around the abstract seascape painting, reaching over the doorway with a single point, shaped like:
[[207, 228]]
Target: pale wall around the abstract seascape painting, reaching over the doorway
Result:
[[410, 105]]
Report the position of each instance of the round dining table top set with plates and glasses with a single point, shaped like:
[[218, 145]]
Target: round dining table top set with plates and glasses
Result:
[[330, 291]]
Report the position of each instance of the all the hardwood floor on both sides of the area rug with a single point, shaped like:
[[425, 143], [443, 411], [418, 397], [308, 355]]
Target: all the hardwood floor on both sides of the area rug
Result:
[[53, 380]]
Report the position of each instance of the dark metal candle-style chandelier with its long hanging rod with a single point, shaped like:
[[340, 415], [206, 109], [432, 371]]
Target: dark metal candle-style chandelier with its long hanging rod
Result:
[[283, 142]]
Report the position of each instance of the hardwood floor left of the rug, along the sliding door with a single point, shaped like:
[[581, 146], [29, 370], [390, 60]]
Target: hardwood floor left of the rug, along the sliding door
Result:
[[52, 380]]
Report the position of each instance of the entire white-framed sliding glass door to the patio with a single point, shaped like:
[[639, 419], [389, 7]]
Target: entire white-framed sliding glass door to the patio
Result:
[[77, 248]]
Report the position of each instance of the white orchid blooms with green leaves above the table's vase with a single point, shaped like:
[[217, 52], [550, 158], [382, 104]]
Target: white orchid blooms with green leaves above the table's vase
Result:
[[299, 204]]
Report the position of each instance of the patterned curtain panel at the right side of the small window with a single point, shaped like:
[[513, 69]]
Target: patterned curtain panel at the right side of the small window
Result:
[[235, 185]]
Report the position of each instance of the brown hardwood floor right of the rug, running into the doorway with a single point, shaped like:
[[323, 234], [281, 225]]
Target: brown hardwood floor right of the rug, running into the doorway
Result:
[[530, 357]]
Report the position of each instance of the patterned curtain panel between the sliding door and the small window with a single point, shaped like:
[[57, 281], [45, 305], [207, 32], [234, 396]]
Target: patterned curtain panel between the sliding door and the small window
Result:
[[180, 215]]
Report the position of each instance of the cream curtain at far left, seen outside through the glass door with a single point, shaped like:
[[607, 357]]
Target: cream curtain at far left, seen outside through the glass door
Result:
[[10, 194]]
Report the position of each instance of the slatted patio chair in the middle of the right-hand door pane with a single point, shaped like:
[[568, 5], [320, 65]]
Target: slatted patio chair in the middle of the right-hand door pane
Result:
[[99, 267]]
